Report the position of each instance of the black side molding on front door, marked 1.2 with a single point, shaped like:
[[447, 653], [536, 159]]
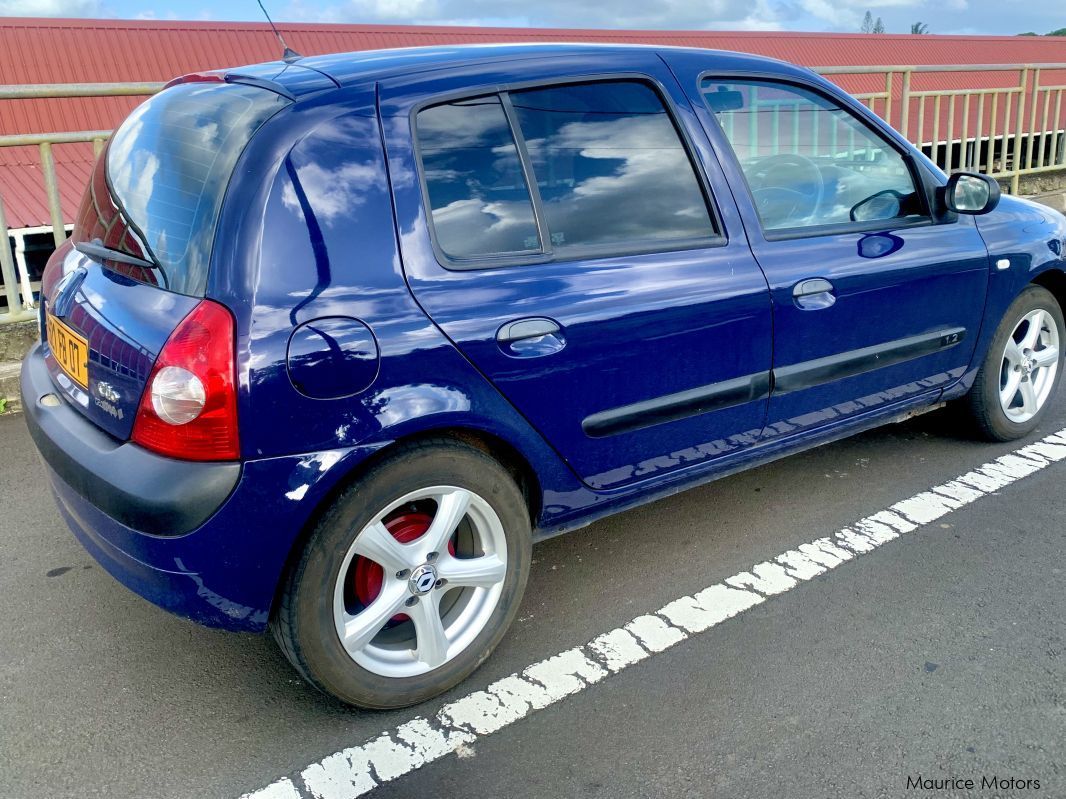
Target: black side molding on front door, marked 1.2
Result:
[[853, 363]]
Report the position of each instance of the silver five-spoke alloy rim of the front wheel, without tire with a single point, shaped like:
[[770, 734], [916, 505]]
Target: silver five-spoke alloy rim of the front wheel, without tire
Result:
[[1030, 366]]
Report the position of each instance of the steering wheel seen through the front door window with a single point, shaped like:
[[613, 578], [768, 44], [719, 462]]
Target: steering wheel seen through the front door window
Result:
[[787, 188]]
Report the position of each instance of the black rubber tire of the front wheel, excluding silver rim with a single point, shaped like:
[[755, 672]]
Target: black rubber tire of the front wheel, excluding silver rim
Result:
[[982, 404]]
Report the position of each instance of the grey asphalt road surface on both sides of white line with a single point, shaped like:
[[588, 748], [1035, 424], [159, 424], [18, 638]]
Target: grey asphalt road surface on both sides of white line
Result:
[[942, 654]]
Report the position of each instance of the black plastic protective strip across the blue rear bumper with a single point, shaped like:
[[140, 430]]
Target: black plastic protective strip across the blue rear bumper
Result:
[[138, 488]]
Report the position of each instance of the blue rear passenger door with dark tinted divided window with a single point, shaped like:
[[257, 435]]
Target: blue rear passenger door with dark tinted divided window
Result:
[[560, 233]]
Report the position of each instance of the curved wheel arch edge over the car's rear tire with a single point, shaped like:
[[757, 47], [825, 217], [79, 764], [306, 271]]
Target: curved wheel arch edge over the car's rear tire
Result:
[[497, 448]]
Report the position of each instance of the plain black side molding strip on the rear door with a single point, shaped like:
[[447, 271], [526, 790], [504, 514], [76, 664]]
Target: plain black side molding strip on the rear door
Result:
[[672, 407]]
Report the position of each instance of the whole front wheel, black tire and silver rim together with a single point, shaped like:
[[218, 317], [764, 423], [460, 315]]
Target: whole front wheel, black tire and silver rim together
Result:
[[1022, 370]]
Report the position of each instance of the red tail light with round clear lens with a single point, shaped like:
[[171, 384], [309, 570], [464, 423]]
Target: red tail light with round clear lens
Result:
[[189, 409]]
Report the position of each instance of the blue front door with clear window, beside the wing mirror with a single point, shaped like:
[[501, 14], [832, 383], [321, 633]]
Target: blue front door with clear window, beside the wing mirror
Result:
[[877, 300]]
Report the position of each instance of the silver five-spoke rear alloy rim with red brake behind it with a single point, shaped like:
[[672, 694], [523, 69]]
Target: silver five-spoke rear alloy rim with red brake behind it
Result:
[[434, 594]]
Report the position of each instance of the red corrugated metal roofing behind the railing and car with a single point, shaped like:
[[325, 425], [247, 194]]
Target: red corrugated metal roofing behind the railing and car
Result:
[[94, 51]]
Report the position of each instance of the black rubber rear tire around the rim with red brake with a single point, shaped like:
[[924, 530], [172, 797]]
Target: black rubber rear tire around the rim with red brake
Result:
[[303, 623]]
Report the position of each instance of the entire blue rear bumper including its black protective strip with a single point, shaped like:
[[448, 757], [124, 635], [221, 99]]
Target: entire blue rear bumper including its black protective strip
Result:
[[224, 573]]
